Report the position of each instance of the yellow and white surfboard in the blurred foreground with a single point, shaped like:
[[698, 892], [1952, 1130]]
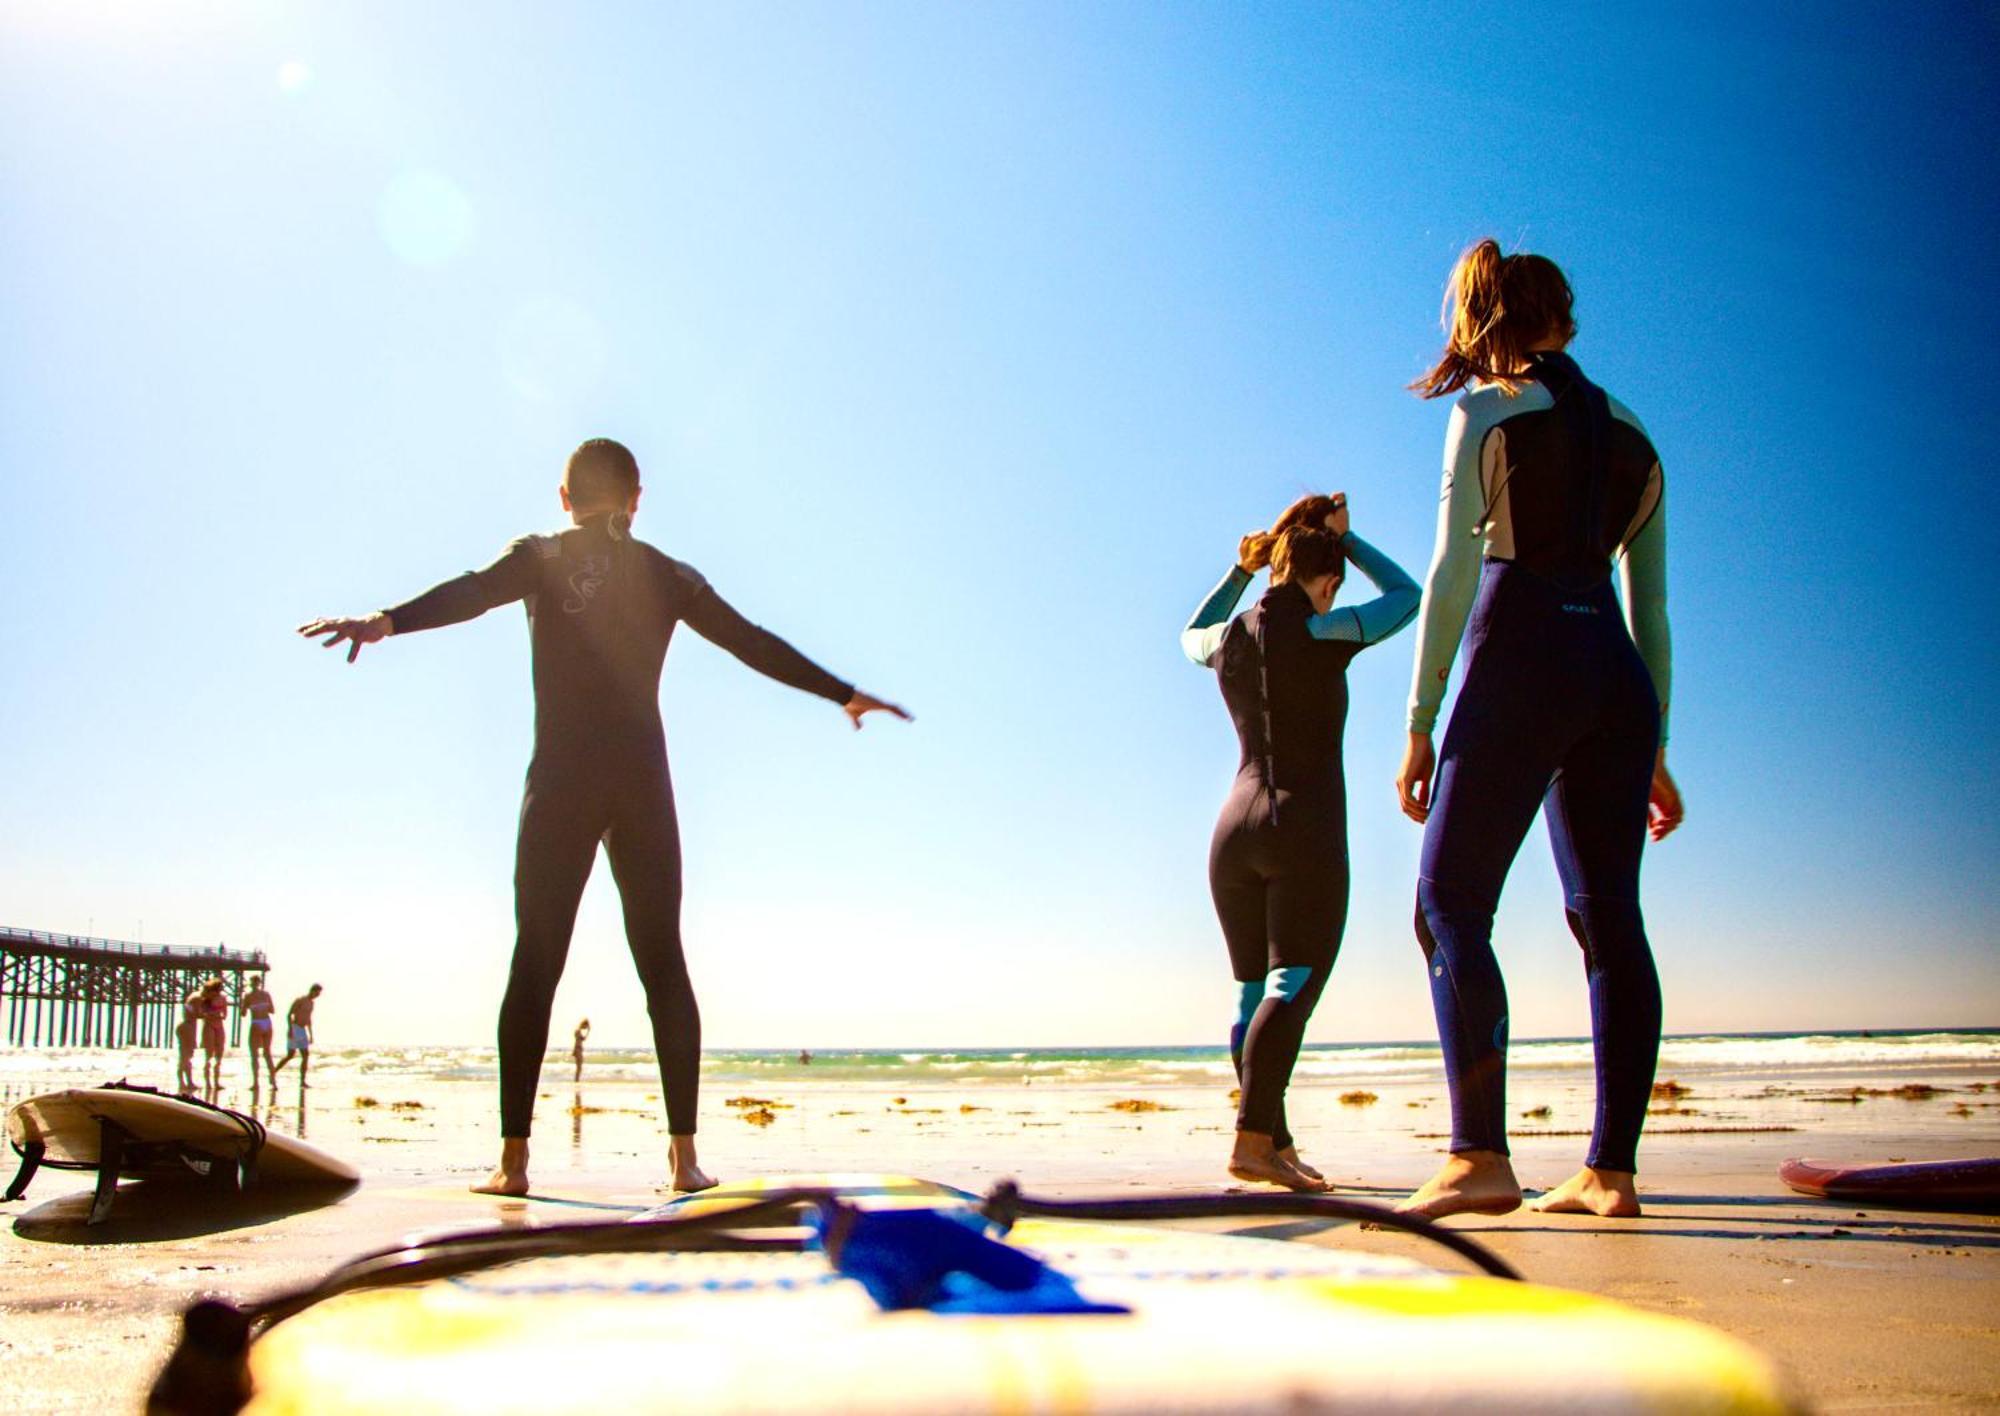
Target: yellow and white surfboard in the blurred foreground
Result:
[[1217, 1323]]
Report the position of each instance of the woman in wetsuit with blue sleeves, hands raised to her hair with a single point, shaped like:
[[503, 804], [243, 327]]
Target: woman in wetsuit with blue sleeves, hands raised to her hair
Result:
[[1279, 859]]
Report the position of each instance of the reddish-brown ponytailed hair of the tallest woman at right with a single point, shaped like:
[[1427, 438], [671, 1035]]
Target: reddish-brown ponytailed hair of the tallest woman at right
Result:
[[1495, 307]]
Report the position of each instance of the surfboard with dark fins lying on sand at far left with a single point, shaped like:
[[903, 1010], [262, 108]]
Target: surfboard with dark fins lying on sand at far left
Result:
[[121, 1131]]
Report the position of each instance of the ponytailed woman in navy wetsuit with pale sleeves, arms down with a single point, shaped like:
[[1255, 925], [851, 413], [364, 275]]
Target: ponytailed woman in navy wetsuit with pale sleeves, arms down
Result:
[[1563, 709]]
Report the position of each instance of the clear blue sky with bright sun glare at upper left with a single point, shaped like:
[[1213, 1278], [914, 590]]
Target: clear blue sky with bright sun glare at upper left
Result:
[[959, 345]]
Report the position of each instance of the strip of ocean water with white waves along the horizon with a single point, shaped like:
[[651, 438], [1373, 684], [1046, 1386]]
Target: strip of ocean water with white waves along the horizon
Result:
[[1775, 1057]]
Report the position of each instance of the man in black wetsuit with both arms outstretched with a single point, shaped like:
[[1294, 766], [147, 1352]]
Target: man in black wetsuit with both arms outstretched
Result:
[[601, 613]]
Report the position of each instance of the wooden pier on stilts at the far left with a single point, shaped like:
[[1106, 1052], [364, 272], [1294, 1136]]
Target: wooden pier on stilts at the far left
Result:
[[77, 993]]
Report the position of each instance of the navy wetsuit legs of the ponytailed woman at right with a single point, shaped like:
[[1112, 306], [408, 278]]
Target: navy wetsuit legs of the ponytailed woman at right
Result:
[[1557, 705]]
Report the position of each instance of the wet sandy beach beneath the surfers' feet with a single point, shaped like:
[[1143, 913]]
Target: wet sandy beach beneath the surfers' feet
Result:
[[1867, 1309]]
